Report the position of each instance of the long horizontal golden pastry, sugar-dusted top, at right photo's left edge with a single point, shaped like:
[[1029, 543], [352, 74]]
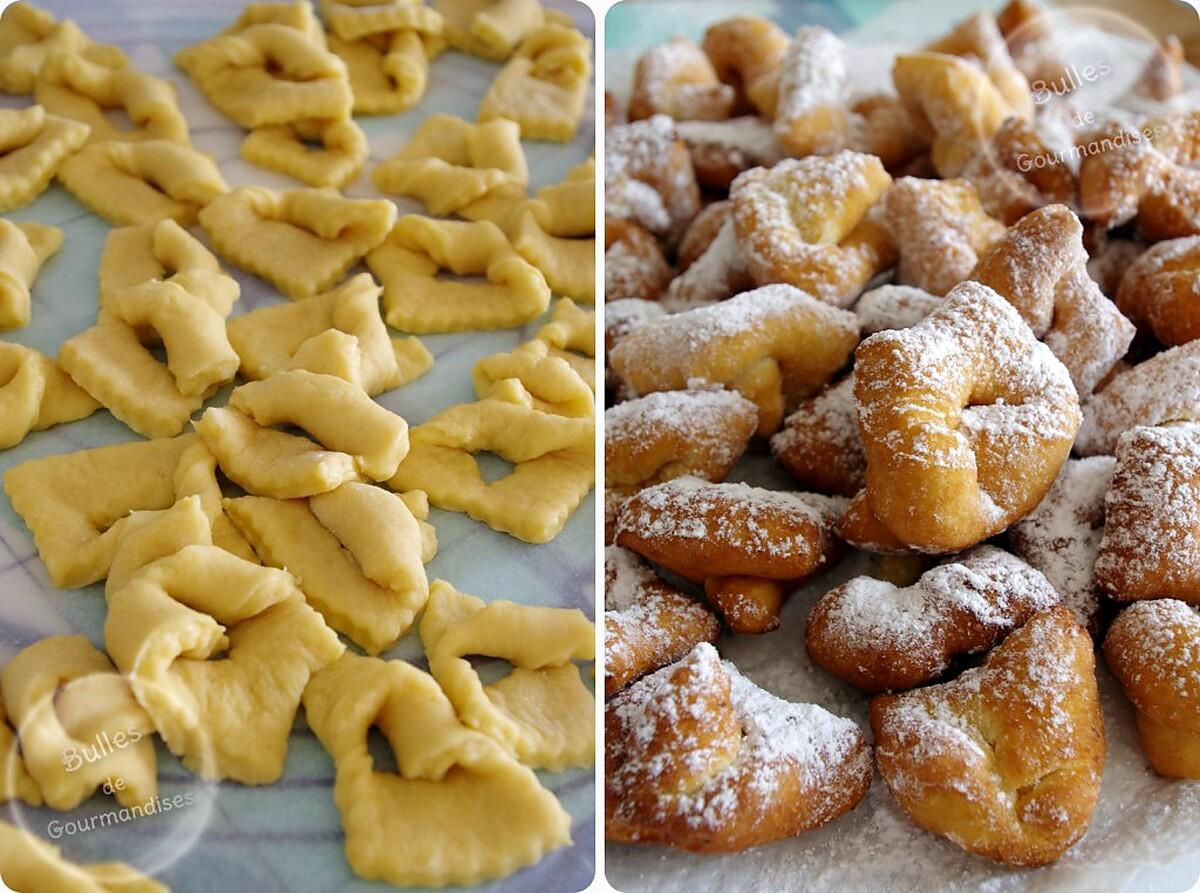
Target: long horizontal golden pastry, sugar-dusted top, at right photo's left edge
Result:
[[775, 345]]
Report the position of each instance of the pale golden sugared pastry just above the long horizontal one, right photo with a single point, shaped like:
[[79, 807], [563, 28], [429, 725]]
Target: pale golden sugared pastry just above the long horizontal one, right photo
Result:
[[807, 223]]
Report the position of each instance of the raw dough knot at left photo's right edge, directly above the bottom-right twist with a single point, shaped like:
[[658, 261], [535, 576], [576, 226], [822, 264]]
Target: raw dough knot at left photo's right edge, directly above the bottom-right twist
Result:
[[542, 711]]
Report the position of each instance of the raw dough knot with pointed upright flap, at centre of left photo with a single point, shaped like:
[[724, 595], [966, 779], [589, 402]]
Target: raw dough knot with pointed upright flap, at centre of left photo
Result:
[[339, 333]]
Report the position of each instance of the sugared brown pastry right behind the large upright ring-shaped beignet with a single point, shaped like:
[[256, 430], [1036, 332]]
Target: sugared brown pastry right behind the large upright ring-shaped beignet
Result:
[[1040, 266]]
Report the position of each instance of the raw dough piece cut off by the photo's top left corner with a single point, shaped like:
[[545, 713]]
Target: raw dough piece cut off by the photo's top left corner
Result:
[[31, 35]]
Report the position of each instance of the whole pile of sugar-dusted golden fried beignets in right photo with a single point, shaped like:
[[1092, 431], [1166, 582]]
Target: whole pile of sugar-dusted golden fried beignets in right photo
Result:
[[965, 320]]
